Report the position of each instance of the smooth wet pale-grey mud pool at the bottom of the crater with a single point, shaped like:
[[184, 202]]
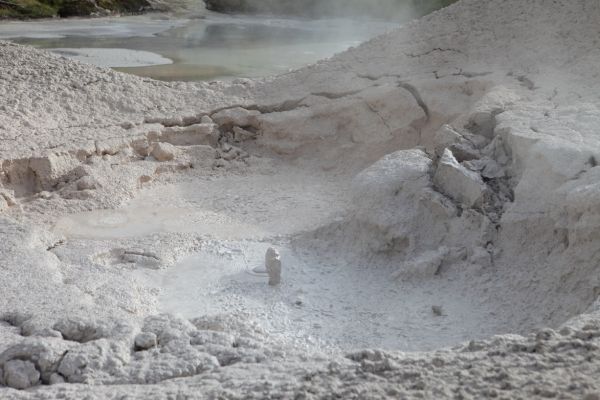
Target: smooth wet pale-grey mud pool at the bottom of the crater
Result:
[[324, 302]]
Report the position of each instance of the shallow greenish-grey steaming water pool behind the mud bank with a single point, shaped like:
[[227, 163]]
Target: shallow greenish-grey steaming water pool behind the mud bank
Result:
[[217, 47]]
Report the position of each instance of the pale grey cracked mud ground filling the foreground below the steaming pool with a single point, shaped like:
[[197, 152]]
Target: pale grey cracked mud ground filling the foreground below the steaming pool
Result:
[[433, 194]]
